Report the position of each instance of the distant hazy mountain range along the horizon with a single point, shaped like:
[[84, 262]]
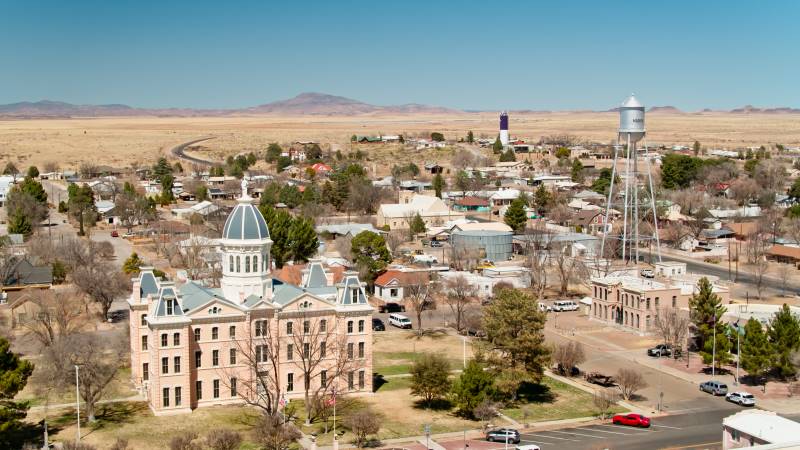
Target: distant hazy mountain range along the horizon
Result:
[[309, 103]]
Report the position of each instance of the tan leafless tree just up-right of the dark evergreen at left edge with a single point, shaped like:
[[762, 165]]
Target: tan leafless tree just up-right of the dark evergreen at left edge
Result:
[[54, 316]]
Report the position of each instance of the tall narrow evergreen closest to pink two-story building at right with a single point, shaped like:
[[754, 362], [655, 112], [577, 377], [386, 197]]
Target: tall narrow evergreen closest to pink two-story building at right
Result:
[[706, 313]]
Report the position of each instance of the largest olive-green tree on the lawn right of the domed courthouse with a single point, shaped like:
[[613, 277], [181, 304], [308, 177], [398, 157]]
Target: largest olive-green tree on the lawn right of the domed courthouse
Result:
[[515, 336]]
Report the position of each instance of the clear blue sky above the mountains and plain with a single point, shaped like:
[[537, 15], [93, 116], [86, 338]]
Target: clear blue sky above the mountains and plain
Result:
[[471, 55]]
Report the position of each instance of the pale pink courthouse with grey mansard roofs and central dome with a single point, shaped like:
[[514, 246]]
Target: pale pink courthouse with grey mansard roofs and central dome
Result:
[[255, 339]]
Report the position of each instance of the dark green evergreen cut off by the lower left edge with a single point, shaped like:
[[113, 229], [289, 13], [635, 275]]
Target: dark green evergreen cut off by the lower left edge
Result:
[[14, 373]]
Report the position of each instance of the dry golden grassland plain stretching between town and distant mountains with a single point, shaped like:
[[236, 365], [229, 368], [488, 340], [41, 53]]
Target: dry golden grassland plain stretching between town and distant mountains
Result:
[[125, 141]]
